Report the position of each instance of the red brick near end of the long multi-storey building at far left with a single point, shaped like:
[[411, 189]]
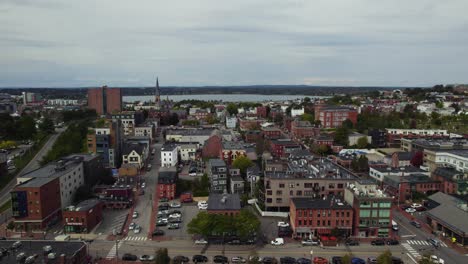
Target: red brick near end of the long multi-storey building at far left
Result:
[[36, 203]]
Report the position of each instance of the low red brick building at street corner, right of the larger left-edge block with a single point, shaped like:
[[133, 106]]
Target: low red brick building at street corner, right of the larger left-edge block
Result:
[[83, 217]]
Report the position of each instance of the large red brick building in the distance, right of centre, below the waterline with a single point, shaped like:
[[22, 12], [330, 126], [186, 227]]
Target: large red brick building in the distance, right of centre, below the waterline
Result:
[[333, 116]]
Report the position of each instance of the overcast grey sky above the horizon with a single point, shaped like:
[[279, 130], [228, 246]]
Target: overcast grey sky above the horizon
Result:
[[232, 42]]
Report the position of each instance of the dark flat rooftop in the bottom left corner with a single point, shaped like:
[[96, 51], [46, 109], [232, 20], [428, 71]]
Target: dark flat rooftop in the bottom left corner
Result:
[[32, 247]]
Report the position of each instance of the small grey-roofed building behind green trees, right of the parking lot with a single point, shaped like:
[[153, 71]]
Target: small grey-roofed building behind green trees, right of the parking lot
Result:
[[225, 204]]
